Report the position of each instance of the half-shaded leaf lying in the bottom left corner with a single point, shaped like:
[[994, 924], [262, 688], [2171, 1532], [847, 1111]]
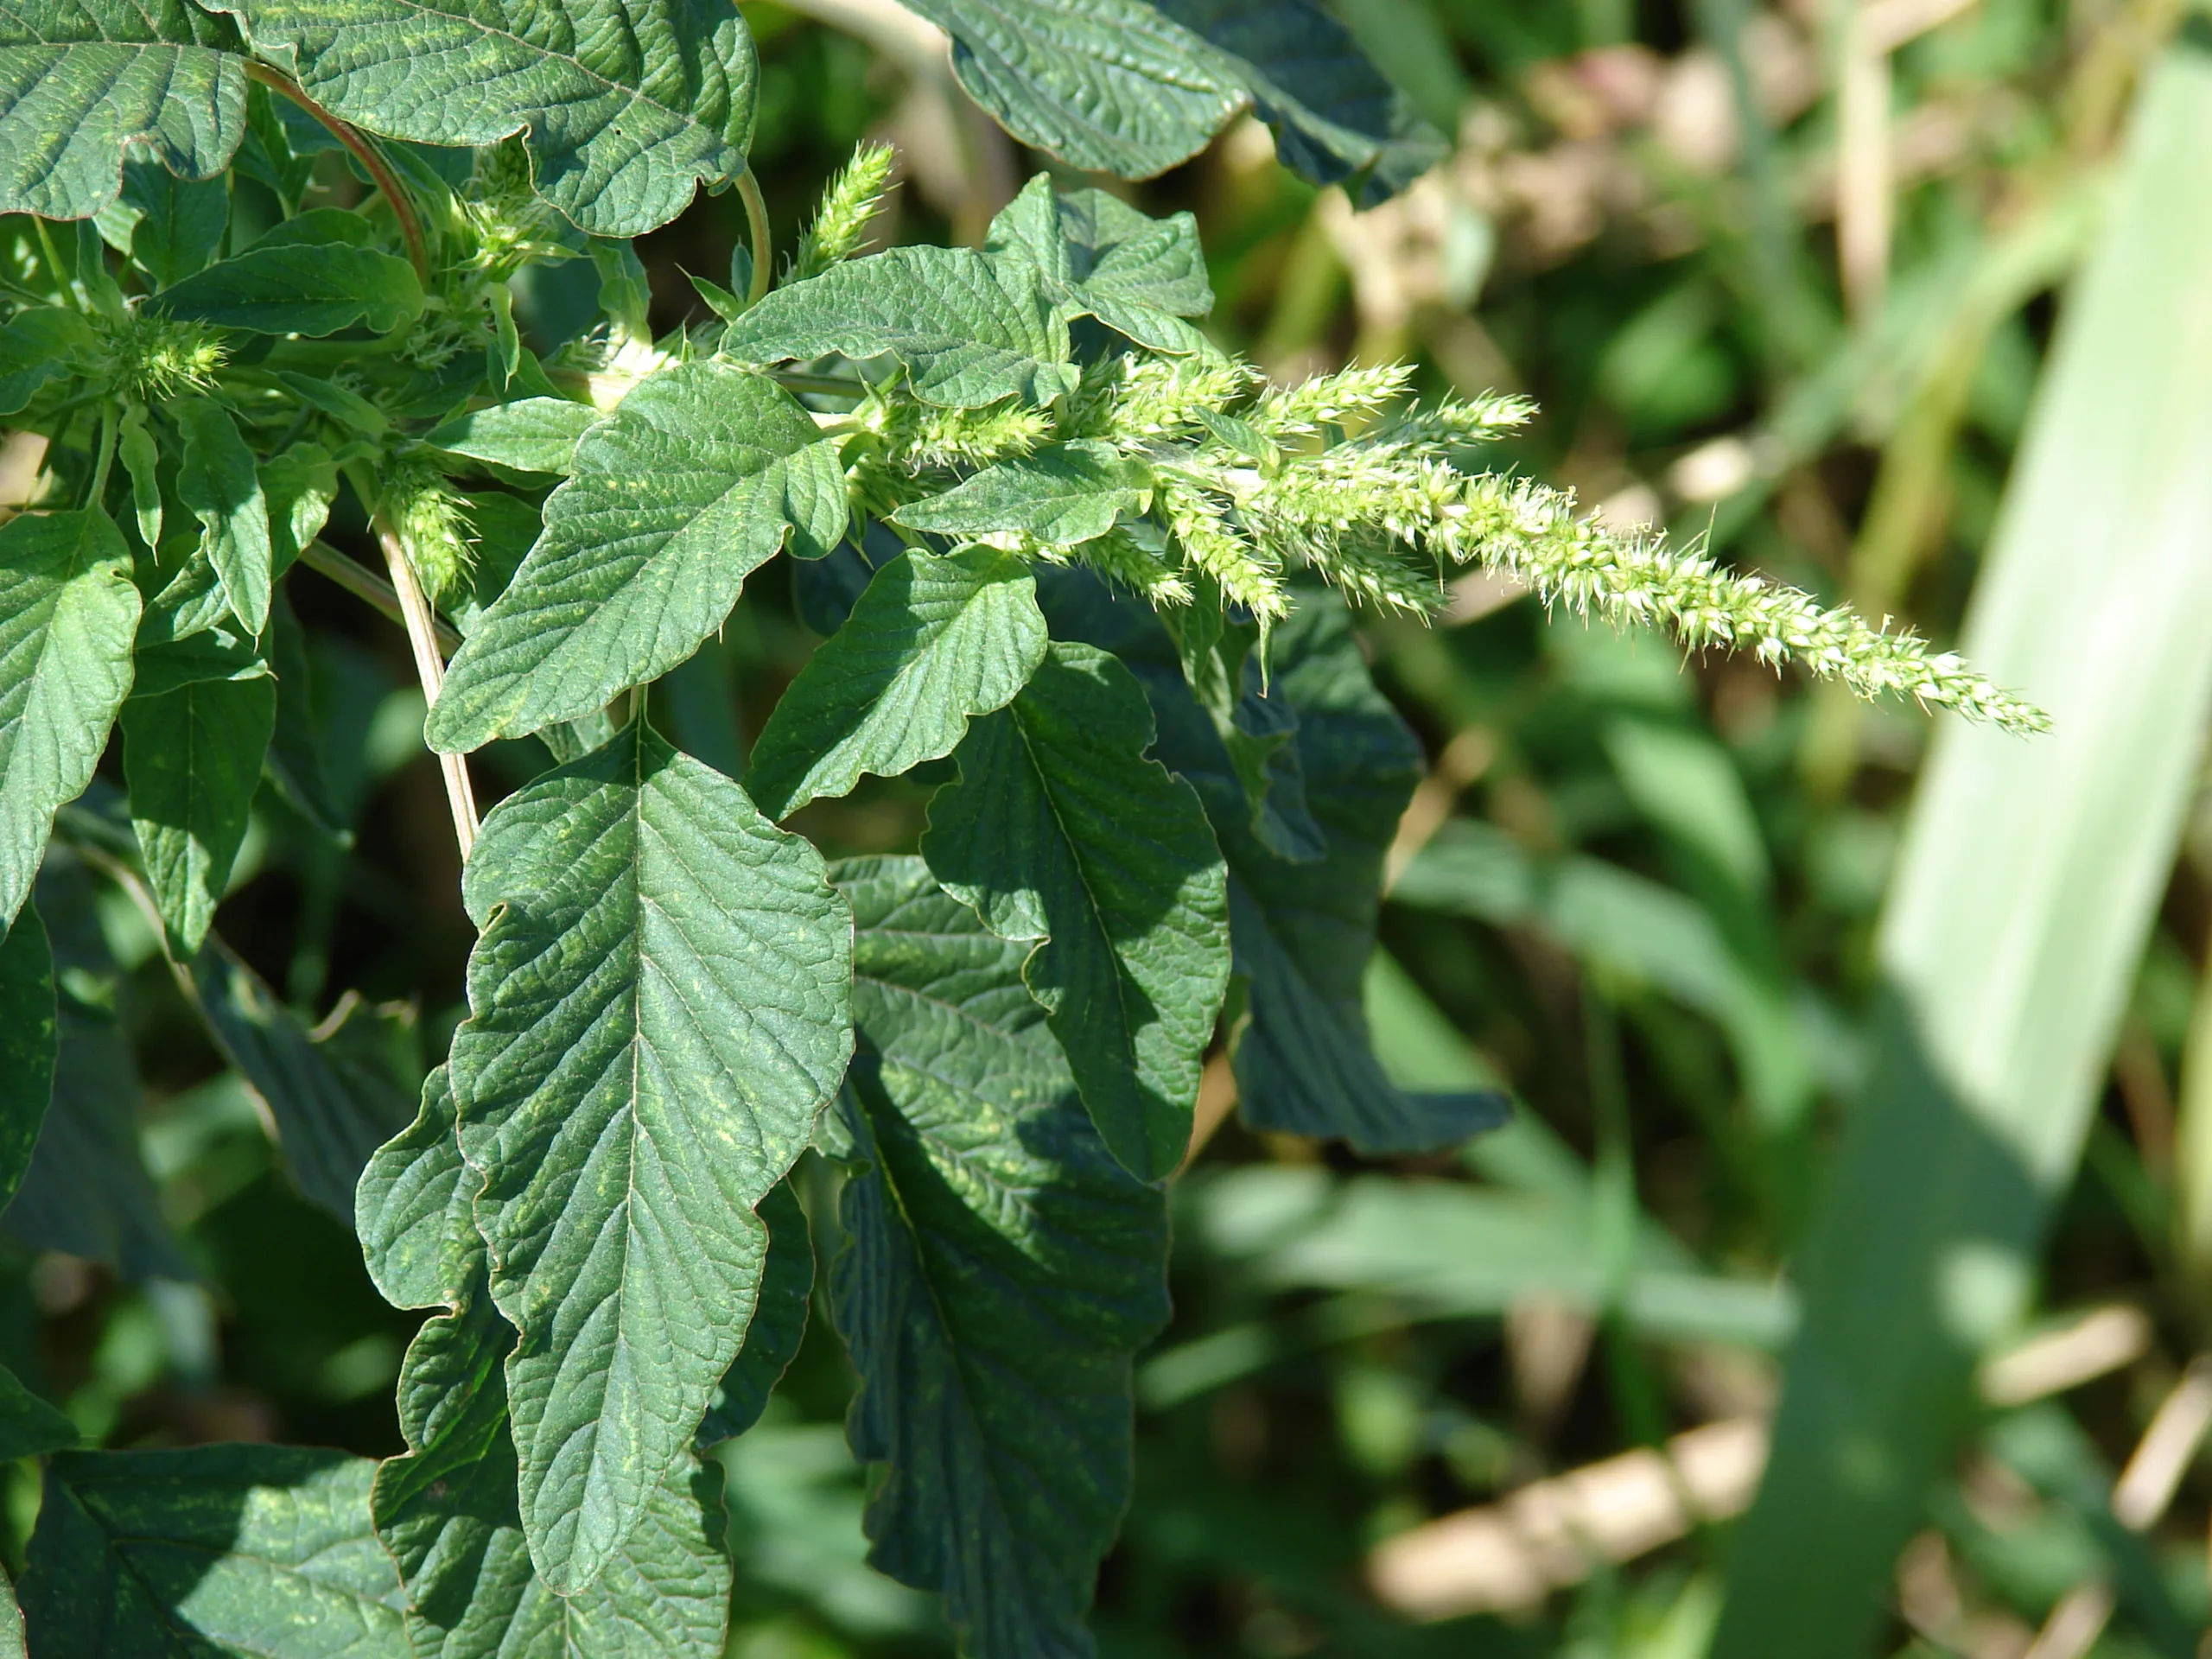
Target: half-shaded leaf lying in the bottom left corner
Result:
[[211, 1552]]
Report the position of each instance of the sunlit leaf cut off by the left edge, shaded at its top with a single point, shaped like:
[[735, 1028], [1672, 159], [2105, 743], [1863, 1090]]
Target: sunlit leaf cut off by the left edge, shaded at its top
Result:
[[67, 620]]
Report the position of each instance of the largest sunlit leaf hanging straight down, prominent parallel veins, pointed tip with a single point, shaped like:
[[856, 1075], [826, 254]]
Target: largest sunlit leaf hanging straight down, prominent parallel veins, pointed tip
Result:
[[658, 1014]]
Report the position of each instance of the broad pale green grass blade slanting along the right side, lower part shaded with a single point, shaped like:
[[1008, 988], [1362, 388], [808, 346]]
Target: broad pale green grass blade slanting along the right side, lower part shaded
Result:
[[2025, 888]]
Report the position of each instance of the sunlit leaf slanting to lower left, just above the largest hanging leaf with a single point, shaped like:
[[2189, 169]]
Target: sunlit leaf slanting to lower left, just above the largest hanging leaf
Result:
[[696, 481]]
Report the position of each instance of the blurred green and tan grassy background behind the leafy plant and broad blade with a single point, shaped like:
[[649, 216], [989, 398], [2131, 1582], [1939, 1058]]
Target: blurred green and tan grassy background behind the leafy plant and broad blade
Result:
[[1784, 280]]
